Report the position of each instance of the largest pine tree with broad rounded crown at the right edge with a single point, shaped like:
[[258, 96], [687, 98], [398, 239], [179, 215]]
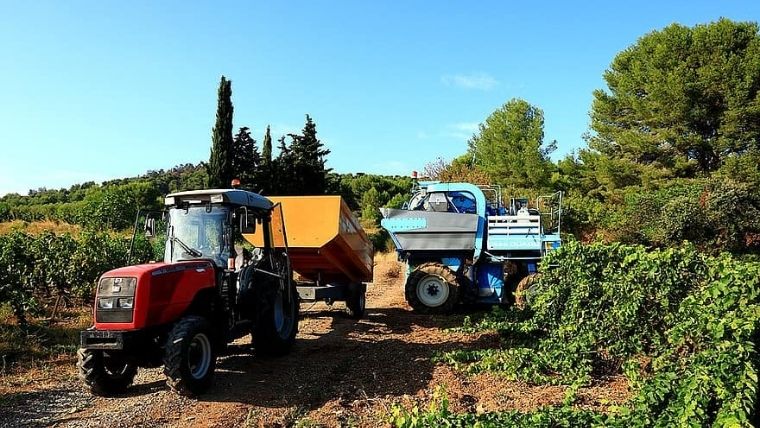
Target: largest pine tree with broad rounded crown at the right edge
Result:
[[682, 99]]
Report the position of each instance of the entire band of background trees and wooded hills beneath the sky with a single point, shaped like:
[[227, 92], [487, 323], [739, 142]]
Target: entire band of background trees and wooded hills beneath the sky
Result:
[[672, 153]]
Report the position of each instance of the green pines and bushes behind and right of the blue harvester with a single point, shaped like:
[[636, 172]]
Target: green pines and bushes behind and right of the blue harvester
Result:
[[673, 149]]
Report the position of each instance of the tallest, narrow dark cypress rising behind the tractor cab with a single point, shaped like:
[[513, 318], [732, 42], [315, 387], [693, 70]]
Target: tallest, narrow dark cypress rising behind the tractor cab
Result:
[[220, 172]]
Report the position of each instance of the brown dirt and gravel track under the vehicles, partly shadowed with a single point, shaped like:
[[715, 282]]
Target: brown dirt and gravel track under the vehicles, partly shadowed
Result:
[[341, 373]]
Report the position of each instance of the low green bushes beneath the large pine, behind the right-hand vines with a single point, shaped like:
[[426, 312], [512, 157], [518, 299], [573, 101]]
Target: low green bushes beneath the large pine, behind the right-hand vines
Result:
[[715, 214]]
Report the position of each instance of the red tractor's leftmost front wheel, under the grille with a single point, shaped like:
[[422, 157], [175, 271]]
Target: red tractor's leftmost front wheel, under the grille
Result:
[[105, 373]]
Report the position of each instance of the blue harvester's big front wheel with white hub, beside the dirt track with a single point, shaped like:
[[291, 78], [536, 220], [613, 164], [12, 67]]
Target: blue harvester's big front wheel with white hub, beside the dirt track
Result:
[[432, 289]]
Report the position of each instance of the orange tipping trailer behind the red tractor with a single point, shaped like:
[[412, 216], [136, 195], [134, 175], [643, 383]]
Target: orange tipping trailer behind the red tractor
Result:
[[326, 245]]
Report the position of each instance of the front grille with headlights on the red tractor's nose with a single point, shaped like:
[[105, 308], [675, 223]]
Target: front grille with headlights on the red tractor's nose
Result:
[[115, 300]]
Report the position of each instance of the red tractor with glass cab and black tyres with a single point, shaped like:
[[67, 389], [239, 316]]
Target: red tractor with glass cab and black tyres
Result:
[[182, 312]]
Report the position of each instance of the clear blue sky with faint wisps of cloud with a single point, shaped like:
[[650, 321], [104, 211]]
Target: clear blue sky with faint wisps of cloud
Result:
[[92, 90]]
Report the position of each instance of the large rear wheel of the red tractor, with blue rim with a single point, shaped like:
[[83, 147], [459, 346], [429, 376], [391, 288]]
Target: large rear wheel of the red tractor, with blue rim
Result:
[[277, 322]]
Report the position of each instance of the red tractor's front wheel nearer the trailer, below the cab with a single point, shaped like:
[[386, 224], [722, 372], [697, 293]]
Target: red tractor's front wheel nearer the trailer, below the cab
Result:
[[189, 356]]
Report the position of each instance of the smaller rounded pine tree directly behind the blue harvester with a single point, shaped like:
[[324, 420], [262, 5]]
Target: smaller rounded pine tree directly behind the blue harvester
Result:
[[509, 146]]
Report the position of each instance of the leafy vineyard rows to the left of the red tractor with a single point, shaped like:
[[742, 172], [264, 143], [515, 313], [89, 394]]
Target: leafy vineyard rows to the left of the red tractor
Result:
[[34, 268]]
